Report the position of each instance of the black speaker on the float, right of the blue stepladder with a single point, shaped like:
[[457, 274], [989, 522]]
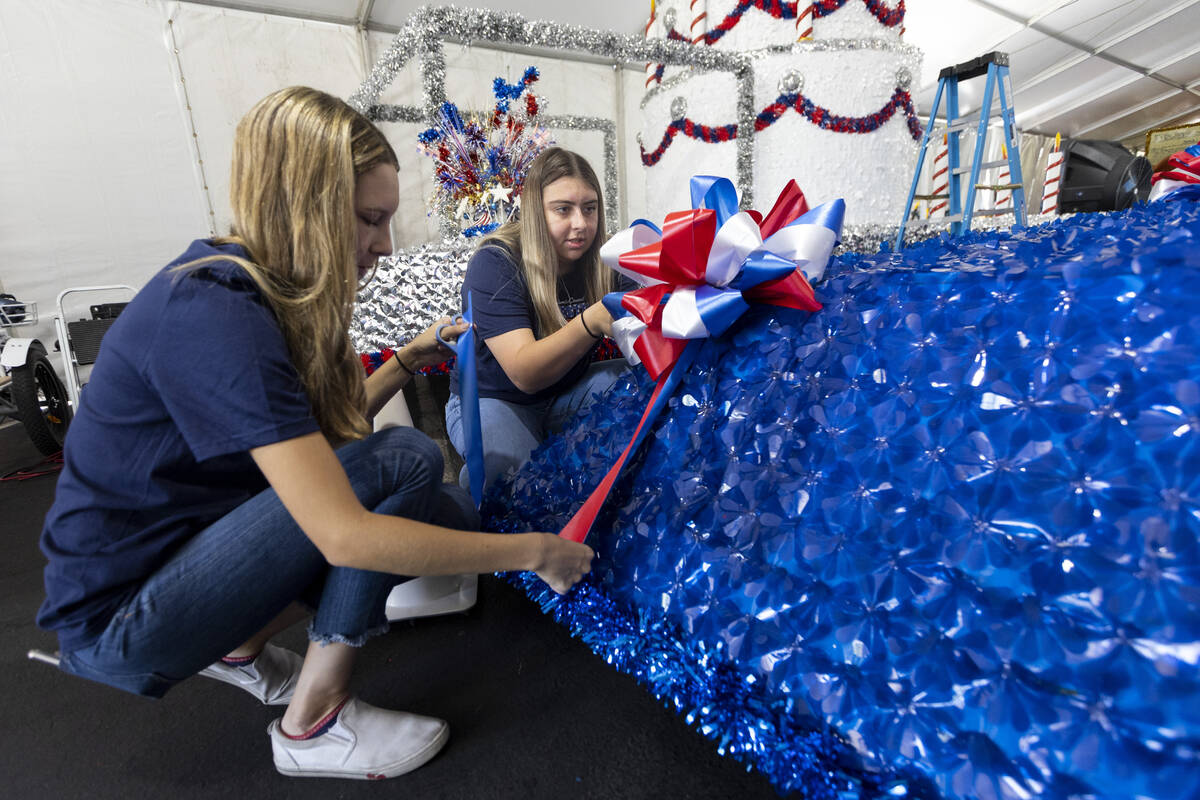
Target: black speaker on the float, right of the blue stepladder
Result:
[[1101, 177]]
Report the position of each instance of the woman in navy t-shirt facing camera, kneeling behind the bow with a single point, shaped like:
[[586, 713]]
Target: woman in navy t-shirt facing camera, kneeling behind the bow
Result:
[[537, 287]]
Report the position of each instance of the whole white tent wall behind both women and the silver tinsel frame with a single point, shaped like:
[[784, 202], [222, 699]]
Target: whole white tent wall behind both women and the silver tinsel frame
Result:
[[117, 122]]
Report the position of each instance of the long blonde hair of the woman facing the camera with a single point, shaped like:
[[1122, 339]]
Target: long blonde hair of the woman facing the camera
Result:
[[529, 238]]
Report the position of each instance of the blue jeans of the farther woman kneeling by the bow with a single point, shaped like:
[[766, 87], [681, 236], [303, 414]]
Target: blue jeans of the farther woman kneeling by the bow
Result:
[[512, 431]]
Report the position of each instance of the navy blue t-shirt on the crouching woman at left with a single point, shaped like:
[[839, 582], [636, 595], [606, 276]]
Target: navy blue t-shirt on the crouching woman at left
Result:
[[193, 376]]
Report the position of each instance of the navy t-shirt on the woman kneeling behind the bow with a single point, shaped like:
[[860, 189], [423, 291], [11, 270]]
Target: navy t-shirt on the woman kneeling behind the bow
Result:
[[501, 303]]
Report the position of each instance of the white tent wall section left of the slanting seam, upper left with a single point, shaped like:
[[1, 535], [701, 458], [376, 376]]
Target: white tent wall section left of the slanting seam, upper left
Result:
[[97, 169]]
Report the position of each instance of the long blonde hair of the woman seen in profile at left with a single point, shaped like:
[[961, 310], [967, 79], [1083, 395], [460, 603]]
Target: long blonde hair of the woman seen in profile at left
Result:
[[297, 157]]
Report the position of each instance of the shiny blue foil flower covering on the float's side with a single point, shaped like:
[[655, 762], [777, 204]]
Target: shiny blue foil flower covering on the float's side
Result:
[[941, 538]]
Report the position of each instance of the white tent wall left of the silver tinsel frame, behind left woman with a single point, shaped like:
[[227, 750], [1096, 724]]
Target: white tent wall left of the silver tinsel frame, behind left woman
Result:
[[101, 178]]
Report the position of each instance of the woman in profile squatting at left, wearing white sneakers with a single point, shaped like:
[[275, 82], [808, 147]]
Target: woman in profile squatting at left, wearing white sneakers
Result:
[[202, 506]]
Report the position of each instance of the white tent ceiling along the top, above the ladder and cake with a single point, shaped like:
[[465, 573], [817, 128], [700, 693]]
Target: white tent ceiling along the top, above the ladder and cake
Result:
[[1090, 69]]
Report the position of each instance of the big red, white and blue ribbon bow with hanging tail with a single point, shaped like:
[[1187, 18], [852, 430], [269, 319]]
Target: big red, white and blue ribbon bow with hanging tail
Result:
[[699, 274]]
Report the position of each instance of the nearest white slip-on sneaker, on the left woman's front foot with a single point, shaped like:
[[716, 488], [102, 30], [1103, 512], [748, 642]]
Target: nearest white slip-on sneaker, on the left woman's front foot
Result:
[[365, 743]]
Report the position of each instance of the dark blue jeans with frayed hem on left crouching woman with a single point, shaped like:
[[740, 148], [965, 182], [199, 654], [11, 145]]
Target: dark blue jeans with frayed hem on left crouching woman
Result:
[[241, 573]]
